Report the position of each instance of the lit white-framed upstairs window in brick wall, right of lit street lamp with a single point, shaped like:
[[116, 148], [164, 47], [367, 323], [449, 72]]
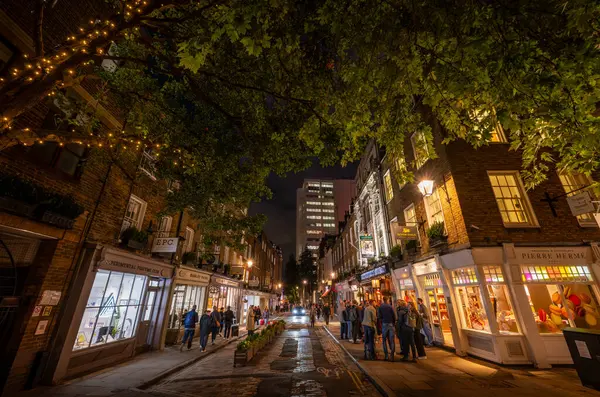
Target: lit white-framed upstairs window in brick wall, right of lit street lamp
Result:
[[511, 199]]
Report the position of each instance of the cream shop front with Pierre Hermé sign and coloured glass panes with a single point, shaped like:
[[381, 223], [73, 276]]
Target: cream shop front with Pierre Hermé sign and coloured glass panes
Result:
[[555, 288]]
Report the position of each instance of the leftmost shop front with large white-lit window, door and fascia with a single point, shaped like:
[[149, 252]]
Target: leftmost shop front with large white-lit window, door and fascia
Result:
[[120, 311]]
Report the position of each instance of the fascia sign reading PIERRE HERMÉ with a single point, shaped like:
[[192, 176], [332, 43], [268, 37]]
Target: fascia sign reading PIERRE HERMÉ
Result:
[[552, 255]]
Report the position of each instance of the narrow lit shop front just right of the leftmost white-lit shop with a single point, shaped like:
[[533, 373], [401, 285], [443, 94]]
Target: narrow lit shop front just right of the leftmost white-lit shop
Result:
[[189, 289]]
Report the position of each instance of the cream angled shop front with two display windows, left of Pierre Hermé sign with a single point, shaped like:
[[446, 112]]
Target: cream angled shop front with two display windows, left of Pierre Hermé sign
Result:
[[486, 316]]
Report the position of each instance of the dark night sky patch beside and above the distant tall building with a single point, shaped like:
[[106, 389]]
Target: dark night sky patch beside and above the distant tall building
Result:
[[281, 209]]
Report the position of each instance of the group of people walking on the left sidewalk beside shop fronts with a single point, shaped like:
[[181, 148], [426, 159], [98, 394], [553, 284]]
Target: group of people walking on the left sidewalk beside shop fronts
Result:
[[215, 322]]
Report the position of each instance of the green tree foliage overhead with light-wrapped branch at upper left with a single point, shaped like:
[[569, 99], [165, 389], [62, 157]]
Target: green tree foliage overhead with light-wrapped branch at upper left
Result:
[[247, 88]]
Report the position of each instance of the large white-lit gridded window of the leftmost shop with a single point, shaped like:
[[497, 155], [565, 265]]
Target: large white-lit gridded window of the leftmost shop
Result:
[[113, 308]]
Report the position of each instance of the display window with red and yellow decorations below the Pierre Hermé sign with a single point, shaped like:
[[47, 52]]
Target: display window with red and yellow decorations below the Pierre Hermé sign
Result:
[[556, 306]]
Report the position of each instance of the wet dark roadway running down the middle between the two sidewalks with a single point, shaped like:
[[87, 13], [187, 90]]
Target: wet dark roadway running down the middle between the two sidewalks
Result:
[[302, 361]]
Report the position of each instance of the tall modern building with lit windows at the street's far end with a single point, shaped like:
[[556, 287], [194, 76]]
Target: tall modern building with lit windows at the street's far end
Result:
[[320, 205]]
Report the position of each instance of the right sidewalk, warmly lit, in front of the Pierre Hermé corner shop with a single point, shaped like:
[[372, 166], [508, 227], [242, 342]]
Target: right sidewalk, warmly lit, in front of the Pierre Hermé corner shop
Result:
[[446, 374]]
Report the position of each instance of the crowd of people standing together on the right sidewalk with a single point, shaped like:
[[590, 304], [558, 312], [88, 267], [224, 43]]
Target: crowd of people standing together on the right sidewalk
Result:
[[408, 321]]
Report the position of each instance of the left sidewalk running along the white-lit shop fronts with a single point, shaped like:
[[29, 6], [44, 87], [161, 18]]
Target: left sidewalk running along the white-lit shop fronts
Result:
[[140, 372]]
